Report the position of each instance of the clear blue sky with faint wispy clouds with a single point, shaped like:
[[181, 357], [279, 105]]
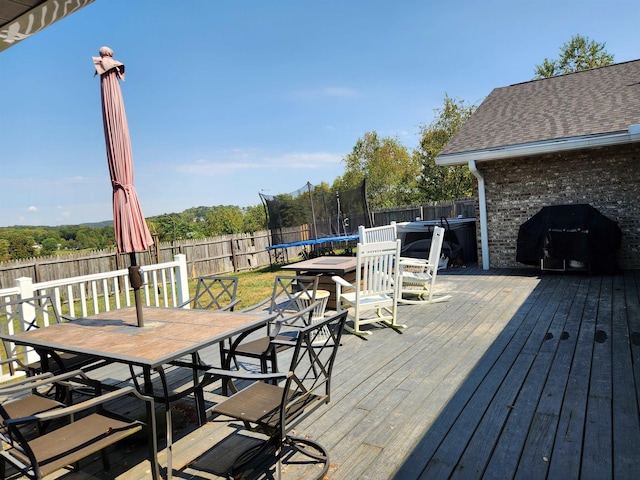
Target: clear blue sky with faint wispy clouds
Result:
[[225, 99]]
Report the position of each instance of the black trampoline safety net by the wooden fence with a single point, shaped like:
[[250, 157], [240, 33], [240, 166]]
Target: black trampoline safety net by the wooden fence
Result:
[[328, 213]]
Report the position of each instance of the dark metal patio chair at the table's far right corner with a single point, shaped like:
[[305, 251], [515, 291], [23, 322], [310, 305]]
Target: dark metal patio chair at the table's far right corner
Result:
[[283, 304]]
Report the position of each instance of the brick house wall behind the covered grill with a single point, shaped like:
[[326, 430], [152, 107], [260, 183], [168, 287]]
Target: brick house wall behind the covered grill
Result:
[[607, 178]]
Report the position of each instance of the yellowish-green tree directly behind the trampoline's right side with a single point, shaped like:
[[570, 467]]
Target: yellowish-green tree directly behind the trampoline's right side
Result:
[[389, 168]]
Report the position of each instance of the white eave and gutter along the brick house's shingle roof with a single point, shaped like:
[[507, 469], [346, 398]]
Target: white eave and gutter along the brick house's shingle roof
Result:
[[572, 143]]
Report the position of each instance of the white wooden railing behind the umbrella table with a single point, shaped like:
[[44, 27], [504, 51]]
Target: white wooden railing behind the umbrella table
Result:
[[164, 285]]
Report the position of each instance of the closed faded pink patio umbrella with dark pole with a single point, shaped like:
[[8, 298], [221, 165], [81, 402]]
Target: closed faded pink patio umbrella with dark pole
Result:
[[132, 234]]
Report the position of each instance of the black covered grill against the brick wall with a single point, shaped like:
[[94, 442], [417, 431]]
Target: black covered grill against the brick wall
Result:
[[570, 232]]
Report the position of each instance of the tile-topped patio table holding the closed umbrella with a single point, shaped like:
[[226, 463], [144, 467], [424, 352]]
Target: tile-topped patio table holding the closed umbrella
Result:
[[168, 335]]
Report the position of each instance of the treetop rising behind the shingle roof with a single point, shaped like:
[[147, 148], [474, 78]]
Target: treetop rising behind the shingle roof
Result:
[[576, 55]]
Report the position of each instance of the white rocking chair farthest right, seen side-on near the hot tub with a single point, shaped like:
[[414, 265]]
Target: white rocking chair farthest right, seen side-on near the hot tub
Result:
[[419, 277]]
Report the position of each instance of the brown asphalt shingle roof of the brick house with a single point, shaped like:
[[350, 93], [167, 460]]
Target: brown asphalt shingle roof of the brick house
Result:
[[592, 102]]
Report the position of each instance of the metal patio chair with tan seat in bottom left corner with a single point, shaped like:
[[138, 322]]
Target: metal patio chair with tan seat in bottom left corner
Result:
[[93, 430]]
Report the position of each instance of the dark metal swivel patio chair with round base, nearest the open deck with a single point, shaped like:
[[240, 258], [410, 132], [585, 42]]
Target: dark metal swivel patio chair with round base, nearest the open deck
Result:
[[276, 409]]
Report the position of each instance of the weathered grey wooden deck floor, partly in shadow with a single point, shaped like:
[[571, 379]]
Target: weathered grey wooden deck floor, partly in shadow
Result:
[[519, 375]]
